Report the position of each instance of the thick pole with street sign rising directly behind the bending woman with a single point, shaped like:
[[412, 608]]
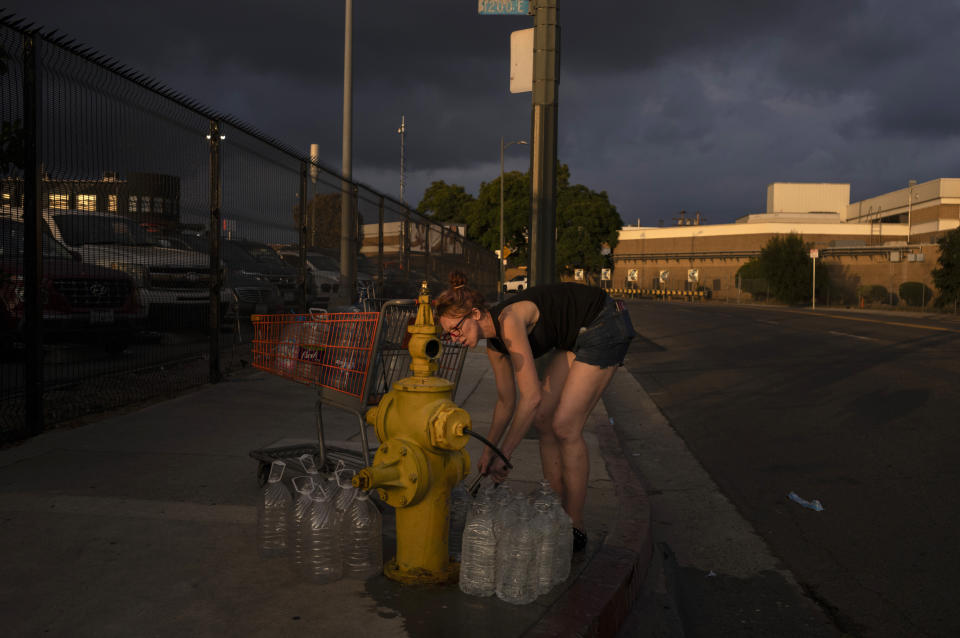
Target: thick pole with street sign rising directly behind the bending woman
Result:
[[543, 138]]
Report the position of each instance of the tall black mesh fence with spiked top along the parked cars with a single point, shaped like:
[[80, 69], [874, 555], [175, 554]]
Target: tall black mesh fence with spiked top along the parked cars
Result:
[[139, 231]]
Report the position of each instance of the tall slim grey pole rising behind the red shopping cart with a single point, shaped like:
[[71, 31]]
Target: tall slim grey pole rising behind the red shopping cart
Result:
[[347, 258]]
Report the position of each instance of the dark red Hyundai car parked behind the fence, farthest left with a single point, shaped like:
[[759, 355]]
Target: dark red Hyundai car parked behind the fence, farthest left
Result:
[[79, 301]]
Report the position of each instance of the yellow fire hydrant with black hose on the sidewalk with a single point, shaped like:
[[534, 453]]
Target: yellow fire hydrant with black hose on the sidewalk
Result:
[[420, 458]]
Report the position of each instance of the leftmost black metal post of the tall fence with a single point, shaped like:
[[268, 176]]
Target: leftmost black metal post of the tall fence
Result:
[[32, 255]]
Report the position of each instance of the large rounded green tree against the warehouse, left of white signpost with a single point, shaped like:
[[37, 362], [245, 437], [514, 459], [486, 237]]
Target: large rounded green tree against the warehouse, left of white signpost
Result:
[[785, 264]]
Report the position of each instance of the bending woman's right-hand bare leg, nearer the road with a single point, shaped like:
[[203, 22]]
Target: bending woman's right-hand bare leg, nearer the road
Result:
[[581, 391]]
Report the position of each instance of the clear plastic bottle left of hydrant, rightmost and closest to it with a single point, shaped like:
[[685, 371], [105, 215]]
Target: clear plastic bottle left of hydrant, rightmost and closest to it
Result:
[[361, 538]]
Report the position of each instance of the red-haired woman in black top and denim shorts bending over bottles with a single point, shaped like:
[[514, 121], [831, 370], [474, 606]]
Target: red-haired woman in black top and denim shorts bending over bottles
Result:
[[591, 333]]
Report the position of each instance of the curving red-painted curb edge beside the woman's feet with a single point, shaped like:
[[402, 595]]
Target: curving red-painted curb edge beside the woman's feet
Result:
[[601, 598]]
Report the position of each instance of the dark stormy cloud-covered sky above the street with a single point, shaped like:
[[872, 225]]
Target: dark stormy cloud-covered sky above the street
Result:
[[693, 106]]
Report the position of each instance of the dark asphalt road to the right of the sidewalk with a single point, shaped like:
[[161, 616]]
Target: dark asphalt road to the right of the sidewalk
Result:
[[856, 409]]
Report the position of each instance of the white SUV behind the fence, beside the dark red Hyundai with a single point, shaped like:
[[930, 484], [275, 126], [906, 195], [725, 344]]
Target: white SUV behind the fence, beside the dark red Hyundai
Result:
[[169, 280]]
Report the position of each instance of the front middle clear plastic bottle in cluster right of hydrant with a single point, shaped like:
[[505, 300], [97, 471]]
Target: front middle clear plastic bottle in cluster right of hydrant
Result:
[[517, 554]]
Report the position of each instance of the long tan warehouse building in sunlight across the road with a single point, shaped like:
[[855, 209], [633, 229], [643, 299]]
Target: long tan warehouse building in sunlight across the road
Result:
[[882, 241]]
